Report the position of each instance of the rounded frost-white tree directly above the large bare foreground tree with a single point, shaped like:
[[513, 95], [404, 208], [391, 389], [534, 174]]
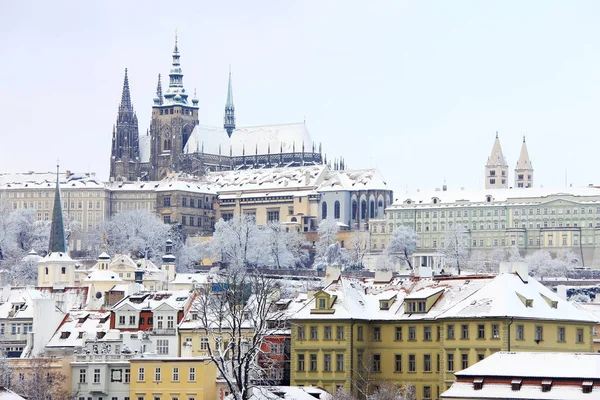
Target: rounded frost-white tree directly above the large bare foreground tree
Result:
[[239, 242]]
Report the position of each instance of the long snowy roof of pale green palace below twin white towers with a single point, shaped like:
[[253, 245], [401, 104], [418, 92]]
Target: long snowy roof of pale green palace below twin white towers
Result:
[[499, 196]]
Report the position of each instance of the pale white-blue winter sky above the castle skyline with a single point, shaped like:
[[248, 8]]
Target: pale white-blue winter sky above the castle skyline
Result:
[[416, 88]]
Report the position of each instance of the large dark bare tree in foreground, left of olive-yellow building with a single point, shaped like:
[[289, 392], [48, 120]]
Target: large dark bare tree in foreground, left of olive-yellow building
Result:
[[235, 315]]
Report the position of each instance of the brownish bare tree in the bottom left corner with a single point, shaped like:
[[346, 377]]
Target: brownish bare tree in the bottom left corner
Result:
[[39, 380]]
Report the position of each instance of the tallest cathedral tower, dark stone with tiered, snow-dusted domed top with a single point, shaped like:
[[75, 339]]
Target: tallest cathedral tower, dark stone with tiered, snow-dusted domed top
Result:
[[173, 120]]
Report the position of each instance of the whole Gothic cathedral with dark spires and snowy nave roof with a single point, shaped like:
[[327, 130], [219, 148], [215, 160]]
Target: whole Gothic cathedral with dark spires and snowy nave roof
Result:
[[176, 142]]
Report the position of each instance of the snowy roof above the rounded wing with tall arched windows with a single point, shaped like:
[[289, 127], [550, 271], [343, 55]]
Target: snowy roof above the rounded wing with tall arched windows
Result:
[[353, 179]]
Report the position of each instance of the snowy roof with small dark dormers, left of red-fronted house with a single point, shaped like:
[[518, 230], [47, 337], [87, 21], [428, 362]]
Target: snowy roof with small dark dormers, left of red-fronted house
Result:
[[79, 326]]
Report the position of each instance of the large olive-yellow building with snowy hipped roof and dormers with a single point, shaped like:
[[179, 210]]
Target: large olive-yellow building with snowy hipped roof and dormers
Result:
[[357, 334]]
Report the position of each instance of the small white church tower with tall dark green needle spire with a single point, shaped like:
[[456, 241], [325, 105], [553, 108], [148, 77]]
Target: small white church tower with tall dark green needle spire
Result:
[[56, 269]]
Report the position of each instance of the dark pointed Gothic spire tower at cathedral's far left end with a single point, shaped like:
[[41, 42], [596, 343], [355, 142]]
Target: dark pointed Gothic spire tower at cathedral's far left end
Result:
[[125, 153]]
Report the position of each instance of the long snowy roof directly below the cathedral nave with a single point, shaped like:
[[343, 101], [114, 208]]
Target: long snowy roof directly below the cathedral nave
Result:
[[266, 179]]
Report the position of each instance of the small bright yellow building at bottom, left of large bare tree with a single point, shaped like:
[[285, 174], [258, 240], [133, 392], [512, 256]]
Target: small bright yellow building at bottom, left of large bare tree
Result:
[[157, 378]]
